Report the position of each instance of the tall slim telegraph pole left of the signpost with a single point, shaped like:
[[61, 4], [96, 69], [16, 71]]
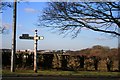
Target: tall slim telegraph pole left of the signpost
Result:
[[14, 37]]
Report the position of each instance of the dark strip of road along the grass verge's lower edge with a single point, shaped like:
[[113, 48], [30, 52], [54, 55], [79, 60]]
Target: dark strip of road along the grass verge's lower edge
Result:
[[60, 78]]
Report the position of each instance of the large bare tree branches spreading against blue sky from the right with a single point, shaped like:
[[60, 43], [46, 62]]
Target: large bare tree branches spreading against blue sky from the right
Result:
[[71, 17]]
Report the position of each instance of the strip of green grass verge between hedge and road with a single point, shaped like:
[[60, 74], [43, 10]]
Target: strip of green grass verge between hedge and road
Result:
[[67, 73]]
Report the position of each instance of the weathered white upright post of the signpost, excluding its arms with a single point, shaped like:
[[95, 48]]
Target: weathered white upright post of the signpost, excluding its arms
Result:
[[35, 51]]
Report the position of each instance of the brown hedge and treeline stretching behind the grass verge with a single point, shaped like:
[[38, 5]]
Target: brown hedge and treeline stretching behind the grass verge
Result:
[[95, 58]]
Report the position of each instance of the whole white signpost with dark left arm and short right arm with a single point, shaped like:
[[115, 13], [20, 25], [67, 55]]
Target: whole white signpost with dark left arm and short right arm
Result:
[[35, 38]]
